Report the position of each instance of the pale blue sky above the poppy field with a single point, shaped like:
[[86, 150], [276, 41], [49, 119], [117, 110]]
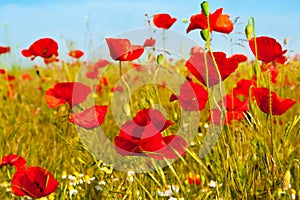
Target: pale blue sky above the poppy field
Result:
[[24, 21]]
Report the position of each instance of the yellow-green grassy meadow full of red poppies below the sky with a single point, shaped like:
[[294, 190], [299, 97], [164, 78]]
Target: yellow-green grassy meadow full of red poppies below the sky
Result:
[[125, 127]]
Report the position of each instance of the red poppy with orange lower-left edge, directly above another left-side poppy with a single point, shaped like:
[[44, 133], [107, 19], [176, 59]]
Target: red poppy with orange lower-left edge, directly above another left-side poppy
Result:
[[73, 93]]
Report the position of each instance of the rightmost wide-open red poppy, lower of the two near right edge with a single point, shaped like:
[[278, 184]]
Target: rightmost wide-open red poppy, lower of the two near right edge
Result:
[[279, 105]]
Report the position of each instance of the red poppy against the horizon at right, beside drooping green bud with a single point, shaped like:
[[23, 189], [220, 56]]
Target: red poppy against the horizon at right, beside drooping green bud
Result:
[[268, 49]]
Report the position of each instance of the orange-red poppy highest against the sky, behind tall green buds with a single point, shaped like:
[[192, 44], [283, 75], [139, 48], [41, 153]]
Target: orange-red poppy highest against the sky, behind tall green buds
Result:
[[218, 22]]
